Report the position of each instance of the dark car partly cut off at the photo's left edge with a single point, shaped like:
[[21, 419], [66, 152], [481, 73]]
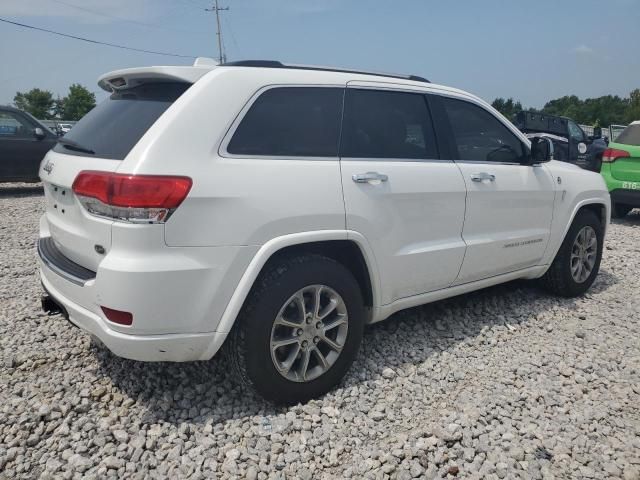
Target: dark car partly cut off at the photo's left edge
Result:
[[23, 143]]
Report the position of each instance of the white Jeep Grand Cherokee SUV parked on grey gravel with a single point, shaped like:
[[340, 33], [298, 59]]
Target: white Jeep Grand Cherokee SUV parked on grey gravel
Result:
[[278, 209]]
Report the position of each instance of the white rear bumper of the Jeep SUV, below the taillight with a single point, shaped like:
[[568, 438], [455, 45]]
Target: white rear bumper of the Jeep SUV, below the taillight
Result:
[[177, 295]]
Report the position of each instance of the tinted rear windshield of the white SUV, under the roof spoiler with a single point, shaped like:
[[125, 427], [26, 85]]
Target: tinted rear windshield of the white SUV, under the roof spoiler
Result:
[[113, 128]]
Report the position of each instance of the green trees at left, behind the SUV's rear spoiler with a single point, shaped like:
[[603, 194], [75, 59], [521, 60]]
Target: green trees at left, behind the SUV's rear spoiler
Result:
[[42, 105]]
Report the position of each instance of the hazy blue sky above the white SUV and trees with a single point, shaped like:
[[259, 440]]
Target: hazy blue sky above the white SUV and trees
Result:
[[532, 51]]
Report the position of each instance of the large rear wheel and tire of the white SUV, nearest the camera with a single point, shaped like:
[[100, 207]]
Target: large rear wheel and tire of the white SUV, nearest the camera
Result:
[[299, 330]]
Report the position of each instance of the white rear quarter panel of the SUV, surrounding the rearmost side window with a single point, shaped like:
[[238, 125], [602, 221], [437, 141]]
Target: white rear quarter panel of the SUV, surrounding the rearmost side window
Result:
[[235, 201]]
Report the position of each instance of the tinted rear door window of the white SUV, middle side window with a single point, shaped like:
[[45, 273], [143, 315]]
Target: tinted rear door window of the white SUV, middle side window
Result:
[[383, 124]]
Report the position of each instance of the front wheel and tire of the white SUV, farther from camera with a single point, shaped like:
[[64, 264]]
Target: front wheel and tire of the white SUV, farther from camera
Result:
[[575, 267]]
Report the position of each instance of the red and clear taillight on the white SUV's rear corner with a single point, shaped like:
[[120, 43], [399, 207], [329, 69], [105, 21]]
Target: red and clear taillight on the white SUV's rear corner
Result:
[[131, 198]]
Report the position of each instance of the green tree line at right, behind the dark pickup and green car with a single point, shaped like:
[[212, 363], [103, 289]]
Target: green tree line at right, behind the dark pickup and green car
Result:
[[601, 111]]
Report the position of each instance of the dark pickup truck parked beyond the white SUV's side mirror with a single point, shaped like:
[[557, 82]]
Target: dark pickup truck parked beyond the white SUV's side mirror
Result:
[[571, 143]]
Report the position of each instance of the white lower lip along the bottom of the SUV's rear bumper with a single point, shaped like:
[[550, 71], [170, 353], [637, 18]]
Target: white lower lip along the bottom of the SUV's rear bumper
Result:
[[147, 348]]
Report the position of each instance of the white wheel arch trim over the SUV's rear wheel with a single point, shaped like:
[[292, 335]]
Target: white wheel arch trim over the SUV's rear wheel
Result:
[[349, 248]]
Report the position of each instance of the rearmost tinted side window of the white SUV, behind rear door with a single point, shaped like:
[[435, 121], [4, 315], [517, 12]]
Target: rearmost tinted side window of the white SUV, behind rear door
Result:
[[291, 122]]
